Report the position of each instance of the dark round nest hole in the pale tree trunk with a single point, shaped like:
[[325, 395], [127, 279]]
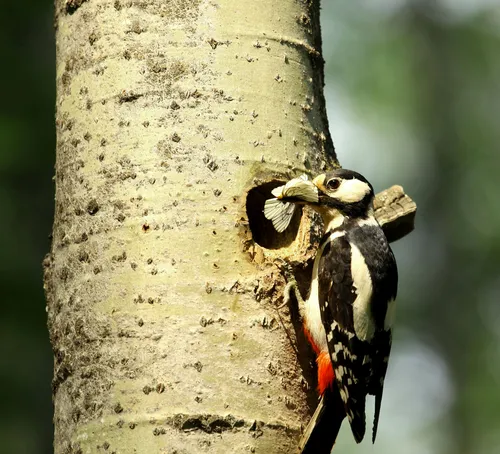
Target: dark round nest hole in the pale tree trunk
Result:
[[262, 229]]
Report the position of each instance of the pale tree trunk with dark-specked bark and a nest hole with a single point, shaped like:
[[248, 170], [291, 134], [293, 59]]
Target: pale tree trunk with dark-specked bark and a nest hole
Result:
[[161, 285]]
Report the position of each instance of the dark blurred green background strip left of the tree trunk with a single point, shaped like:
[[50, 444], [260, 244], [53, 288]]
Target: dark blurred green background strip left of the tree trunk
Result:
[[27, 144]]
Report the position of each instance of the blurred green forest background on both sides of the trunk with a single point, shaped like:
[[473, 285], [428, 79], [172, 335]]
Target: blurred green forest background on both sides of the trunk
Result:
[[413, 98]]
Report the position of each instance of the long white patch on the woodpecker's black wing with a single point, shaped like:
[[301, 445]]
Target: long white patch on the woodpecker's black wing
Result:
[[364, 325]]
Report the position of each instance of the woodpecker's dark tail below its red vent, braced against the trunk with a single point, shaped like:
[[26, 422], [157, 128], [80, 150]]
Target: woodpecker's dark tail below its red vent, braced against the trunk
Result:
[[323, 428]]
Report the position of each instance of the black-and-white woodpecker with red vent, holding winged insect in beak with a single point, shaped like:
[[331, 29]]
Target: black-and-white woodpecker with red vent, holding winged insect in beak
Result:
[[349, 312]]
